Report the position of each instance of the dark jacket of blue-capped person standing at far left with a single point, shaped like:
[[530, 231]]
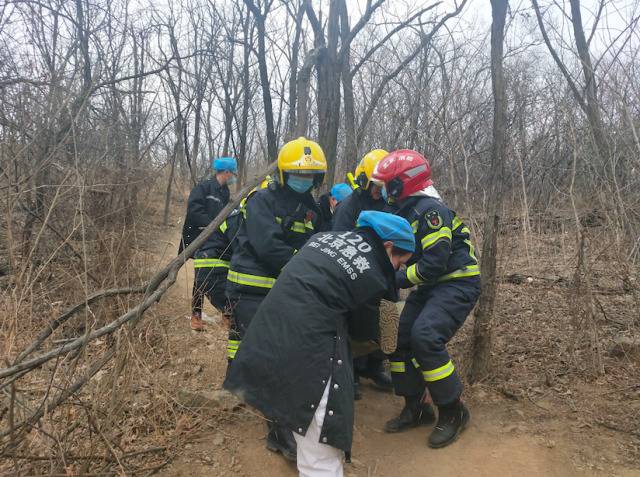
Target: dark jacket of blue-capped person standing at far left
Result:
[[206, 200]]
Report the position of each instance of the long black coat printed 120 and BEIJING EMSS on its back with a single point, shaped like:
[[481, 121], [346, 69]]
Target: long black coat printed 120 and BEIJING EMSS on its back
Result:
[[298, 338]]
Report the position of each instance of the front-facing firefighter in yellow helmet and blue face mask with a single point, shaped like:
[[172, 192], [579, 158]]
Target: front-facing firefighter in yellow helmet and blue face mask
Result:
[[278, 221]]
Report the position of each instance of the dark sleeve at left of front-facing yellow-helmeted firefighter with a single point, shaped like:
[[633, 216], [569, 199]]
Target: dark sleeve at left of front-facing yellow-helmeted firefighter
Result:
[[265, 234]]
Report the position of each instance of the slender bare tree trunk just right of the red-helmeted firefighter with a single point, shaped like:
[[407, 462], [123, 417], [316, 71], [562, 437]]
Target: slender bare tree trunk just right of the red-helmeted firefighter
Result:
[[484, 312]]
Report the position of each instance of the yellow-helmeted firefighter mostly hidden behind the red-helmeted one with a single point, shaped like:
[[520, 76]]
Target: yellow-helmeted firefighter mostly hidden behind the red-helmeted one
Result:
[[366, 196]]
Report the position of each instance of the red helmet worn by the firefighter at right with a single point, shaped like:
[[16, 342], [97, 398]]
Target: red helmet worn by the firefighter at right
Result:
[[403, 172]]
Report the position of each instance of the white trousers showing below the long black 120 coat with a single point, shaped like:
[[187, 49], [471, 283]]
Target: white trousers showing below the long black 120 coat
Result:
[[316, 459]]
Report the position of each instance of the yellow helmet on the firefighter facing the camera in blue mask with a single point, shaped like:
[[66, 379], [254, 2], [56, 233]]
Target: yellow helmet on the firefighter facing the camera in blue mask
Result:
[[302, 155]]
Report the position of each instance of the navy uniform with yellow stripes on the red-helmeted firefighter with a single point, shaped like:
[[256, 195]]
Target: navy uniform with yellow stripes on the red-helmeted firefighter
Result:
[[446, 272]]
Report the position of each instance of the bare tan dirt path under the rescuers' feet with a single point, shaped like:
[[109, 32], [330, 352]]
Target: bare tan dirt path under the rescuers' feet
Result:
[[505, 437]]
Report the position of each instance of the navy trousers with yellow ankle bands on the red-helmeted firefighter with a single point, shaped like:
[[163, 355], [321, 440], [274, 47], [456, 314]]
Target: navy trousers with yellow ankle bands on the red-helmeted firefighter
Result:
[[430, 318]]
